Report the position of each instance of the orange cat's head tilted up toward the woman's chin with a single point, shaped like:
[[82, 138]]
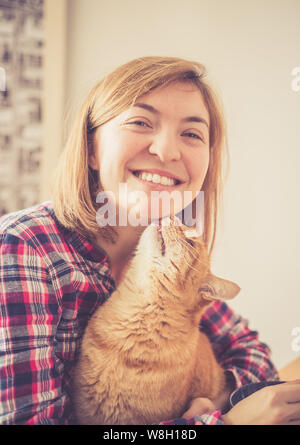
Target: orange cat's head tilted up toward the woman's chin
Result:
[[177, 257]]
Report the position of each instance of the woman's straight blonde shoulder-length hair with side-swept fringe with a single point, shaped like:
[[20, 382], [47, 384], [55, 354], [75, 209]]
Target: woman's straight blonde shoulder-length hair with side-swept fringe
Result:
[[75, 184]]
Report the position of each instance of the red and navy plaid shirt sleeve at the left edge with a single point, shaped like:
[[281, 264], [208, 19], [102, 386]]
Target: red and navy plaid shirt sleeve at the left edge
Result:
[[30, 373]]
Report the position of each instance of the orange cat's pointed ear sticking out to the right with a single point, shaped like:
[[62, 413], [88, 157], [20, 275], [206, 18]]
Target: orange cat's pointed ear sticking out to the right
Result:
[[216, 288]]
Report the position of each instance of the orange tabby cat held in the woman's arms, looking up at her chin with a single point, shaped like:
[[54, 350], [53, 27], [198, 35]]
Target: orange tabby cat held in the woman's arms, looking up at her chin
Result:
[[143, 357]]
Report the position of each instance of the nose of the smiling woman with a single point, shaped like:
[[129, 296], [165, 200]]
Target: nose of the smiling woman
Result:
[[165, 147]]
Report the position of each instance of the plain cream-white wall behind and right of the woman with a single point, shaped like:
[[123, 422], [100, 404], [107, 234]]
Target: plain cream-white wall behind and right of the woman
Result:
[[250, 47]]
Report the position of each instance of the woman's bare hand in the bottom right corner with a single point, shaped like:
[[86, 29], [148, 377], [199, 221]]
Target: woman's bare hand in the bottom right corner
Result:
[[271, 405]]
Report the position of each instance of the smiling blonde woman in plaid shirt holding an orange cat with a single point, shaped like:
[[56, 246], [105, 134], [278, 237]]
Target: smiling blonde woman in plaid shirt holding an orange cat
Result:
[[156, 115]]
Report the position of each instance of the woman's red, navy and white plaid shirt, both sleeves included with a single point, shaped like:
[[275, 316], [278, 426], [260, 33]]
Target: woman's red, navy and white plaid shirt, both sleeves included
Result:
[[51, 281]]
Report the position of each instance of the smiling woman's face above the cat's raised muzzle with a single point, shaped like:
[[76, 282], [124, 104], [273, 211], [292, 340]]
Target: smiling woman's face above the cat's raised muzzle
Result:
[[160, 144]]
